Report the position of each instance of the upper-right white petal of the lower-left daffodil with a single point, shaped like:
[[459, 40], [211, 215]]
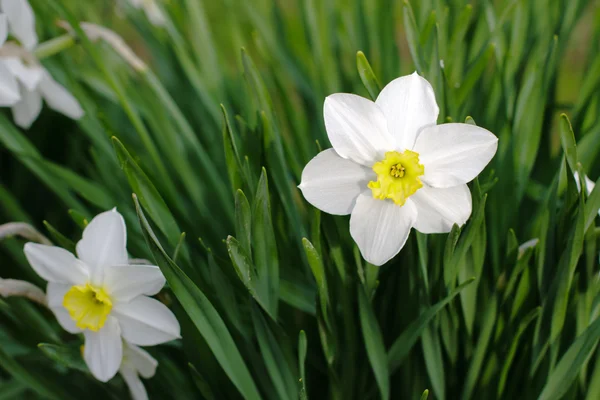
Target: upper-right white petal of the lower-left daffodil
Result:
[[125, 282]]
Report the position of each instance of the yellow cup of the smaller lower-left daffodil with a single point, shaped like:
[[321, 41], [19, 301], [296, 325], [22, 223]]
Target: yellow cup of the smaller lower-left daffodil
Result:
[[88, 306]]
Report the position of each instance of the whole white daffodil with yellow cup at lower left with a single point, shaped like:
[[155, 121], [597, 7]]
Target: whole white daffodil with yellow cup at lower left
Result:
[[102, 296]]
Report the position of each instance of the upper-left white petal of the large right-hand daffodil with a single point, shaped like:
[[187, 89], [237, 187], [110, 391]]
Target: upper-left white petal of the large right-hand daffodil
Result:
[[357, 128]]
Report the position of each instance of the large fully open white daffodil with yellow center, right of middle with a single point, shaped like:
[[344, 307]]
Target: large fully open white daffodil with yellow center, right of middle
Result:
[[392, 168]]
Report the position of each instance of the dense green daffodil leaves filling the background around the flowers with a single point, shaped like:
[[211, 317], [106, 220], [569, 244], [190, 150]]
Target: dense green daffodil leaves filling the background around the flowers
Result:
[[212, 140]]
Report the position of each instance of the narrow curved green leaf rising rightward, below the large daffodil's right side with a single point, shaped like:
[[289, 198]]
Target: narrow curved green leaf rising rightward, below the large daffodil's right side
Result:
[[404, 343]]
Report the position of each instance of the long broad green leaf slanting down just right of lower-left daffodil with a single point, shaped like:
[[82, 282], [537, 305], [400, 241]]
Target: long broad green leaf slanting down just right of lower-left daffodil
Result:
[[202, 313]]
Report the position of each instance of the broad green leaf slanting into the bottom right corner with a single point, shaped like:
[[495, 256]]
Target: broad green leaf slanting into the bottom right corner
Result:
[[568, 367]]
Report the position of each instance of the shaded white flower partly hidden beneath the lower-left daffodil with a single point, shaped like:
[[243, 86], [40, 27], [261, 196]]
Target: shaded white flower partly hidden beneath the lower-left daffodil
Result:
[[137, 362]]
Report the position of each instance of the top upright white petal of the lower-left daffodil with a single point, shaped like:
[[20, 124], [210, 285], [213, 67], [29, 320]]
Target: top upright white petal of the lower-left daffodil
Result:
[[103, 244]]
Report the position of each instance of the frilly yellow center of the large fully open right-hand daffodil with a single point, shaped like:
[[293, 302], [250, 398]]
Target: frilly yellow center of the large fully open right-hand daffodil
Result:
[[397, 176]]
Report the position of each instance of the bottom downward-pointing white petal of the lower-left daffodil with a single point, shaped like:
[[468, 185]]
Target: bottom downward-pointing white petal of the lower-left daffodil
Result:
[[103, 350]]
